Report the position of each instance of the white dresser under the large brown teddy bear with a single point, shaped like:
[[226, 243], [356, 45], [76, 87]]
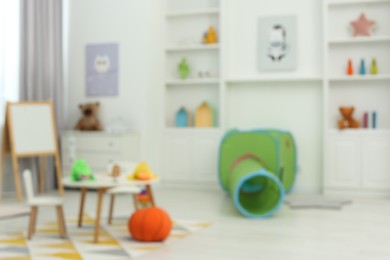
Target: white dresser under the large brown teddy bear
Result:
[[98, 149]]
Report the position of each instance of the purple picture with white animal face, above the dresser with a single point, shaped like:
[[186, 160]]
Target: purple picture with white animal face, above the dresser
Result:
[[102, 69]]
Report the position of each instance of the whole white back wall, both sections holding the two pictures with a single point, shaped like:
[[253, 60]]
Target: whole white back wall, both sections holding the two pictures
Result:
[[137, 27]]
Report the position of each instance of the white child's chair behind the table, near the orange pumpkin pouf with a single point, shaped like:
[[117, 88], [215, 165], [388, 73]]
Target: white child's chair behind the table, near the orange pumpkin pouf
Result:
[[133, 190]]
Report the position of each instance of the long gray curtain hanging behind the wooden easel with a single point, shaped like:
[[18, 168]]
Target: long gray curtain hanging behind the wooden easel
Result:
[[41, 71]]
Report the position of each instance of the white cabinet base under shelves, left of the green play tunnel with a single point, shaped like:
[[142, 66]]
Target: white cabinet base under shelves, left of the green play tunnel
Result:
[[191, 155]]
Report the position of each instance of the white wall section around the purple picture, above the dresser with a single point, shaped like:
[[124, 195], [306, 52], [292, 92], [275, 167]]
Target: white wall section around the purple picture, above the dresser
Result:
[[130, 24]]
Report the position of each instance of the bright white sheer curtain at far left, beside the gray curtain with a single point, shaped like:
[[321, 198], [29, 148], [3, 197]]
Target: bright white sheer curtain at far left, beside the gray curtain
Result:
[[9, 65]]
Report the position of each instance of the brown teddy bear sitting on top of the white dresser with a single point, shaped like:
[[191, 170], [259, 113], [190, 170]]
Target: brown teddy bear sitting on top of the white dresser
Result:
[[89, 120]]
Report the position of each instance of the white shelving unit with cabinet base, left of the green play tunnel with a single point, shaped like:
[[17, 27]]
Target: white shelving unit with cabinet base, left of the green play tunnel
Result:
[[189, 153]]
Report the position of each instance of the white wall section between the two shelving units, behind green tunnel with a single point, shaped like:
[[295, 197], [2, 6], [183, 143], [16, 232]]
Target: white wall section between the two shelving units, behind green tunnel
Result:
[[296, 106]]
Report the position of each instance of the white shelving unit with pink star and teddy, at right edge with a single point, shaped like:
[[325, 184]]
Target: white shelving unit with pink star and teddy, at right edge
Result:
[[356, 160]]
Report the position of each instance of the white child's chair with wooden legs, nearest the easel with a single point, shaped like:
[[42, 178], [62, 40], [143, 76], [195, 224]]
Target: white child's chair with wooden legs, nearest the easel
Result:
[[34, 202]]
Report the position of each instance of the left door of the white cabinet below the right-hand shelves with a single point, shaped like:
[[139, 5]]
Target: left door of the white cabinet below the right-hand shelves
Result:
[[344, 162]]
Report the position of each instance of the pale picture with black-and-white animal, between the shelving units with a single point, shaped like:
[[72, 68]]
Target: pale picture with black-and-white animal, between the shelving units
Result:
[[277, 43]]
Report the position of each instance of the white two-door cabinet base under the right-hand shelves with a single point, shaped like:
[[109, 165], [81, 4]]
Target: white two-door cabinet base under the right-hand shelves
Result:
[[358, 161]]
